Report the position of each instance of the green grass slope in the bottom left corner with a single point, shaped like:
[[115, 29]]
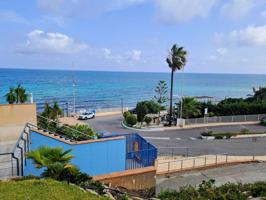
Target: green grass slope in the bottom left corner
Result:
[[45, 189]]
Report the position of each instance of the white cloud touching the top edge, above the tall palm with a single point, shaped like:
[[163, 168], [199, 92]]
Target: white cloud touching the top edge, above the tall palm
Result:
[[172, 11]]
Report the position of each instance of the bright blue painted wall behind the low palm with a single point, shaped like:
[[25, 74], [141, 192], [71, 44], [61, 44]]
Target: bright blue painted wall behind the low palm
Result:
[[92, 158]]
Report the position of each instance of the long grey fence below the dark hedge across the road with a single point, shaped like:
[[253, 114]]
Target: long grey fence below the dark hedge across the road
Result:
[[225, 119]]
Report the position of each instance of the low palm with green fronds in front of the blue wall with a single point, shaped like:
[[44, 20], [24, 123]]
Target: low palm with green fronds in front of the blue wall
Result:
[[55, 160]]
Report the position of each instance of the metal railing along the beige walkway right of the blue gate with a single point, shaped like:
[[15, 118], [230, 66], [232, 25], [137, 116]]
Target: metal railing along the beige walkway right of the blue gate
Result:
[[190, 163]]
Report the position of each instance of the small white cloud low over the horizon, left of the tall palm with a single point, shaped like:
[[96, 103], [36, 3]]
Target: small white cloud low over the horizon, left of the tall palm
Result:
[[134, 55]]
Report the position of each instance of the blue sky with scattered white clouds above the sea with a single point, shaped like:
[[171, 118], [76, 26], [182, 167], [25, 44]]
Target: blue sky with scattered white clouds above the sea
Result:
[[220, 36]]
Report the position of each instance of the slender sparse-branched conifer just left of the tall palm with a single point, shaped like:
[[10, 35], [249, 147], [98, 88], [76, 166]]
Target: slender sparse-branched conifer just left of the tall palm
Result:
[[160, 97]]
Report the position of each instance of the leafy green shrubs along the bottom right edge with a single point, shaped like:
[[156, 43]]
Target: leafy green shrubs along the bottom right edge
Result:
[[207, 190]]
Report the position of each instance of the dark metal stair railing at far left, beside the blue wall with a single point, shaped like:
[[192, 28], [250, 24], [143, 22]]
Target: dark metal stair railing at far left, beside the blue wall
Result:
[[12, 163]]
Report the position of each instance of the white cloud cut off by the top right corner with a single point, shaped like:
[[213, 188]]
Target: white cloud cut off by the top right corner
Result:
[[236, 9]]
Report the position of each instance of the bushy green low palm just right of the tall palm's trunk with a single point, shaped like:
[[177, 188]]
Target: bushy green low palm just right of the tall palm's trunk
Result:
[[191, 107]]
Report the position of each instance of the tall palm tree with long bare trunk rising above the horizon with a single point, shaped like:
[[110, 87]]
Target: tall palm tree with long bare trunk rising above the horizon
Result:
[[176, 61]]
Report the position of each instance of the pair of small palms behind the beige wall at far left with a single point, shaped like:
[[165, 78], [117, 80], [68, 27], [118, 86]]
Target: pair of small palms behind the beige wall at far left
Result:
[[16, 95]]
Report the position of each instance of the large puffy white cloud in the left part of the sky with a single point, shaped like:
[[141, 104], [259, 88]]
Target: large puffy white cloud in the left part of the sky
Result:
[[42, 42]]
